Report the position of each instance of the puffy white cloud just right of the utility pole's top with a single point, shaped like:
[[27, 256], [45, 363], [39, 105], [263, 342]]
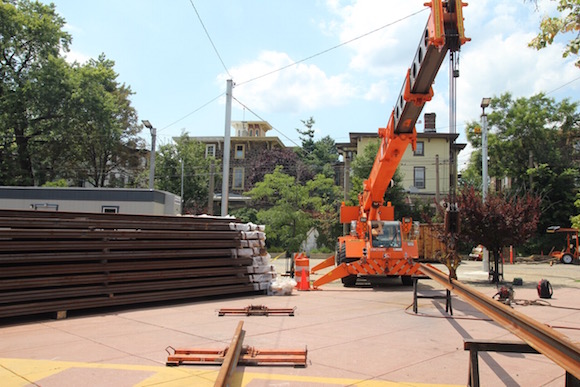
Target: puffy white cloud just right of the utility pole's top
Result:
[[297, 88]]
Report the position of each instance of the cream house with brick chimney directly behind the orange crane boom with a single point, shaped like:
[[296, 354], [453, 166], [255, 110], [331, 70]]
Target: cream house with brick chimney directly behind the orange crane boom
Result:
[[425, 171]]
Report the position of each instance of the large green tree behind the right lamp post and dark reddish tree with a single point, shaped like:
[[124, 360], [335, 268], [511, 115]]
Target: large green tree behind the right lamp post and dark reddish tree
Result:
[[533, 142]]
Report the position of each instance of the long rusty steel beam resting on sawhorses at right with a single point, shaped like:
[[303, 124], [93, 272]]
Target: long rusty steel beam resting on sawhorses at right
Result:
[[554, 345]]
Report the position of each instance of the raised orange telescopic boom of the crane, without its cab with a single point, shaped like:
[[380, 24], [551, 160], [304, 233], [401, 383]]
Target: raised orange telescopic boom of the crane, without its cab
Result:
[[444, 32]]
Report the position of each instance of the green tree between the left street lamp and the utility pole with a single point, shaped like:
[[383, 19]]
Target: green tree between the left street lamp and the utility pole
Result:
[[196, 172]]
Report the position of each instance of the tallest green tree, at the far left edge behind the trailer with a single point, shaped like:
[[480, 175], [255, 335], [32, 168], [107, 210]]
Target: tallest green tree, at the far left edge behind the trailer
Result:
[[31, 37]]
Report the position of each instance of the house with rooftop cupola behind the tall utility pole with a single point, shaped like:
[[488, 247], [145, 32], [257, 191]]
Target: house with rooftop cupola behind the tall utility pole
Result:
[[249, 139]]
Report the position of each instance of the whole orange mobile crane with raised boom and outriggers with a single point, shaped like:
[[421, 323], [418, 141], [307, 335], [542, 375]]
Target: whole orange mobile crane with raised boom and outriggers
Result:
[[377, 244]]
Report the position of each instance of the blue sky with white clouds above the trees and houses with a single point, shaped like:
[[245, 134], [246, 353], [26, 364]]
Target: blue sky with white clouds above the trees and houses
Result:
[[163, 53]]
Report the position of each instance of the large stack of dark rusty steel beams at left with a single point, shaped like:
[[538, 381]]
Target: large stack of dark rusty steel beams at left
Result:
[[57, 262]]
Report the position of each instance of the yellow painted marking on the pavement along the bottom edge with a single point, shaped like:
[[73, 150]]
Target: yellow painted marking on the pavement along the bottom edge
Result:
[[23, 372]]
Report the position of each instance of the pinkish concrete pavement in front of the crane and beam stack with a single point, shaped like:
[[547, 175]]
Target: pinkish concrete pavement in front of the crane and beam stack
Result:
[[354, 336]]
